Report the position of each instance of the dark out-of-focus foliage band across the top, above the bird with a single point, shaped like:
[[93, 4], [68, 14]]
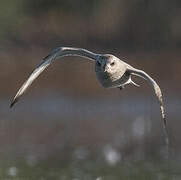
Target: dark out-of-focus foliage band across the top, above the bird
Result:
[[133, 25]]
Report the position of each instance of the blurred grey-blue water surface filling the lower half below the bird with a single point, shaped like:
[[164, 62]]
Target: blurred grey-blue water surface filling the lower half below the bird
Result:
[[54, 136]]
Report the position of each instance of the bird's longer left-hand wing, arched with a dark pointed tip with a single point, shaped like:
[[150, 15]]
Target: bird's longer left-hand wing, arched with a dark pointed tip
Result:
[[55, 54]]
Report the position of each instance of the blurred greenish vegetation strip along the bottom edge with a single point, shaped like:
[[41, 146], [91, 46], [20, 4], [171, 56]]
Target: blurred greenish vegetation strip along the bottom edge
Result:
[[89, 170]]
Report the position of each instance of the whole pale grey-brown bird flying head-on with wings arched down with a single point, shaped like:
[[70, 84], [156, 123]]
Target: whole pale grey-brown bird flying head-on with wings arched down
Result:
[[111, 72]]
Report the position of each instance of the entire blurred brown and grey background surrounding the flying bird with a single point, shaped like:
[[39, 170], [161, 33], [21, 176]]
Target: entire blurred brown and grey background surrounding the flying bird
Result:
[[67, 126]]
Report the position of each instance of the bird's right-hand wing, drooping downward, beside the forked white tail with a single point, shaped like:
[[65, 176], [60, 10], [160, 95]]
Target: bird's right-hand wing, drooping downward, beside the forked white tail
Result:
[[158, 93]]
